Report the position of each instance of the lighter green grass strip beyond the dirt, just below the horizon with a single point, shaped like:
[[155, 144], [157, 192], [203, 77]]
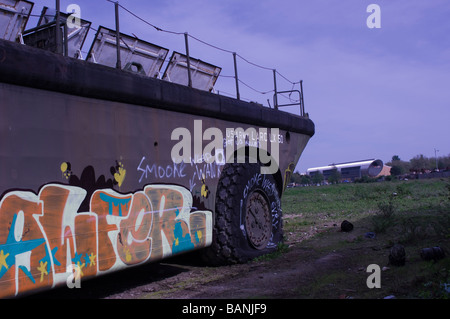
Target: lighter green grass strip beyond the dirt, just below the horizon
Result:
[[343, 201]]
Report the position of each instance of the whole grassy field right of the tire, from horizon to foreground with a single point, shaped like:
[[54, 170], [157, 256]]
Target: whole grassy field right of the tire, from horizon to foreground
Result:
[[414, 214]]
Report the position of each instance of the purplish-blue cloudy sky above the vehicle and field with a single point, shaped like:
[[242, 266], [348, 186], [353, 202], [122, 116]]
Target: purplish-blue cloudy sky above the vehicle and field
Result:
[[372, 92]]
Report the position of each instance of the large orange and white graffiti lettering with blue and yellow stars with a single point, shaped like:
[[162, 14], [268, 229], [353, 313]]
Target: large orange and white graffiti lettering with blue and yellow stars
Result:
[[41, 236]]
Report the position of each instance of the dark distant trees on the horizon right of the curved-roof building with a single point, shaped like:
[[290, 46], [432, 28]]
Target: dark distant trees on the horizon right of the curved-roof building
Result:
[[418, 164]]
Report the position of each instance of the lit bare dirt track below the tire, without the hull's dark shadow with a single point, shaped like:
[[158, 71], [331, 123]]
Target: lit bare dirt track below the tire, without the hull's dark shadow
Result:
[[279, 278]]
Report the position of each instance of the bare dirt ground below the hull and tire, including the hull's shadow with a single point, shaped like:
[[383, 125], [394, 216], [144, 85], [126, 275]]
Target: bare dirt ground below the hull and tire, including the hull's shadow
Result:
[[283, 277]]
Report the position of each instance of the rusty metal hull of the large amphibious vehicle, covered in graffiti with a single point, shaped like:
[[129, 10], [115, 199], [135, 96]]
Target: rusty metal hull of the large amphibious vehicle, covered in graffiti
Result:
[[87, 177]]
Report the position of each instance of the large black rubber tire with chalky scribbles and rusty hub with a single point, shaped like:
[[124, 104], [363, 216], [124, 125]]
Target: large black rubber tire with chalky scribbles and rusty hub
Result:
[[248, 213]]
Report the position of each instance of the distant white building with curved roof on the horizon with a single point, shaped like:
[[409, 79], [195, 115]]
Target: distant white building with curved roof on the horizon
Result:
[[353, 170]]
